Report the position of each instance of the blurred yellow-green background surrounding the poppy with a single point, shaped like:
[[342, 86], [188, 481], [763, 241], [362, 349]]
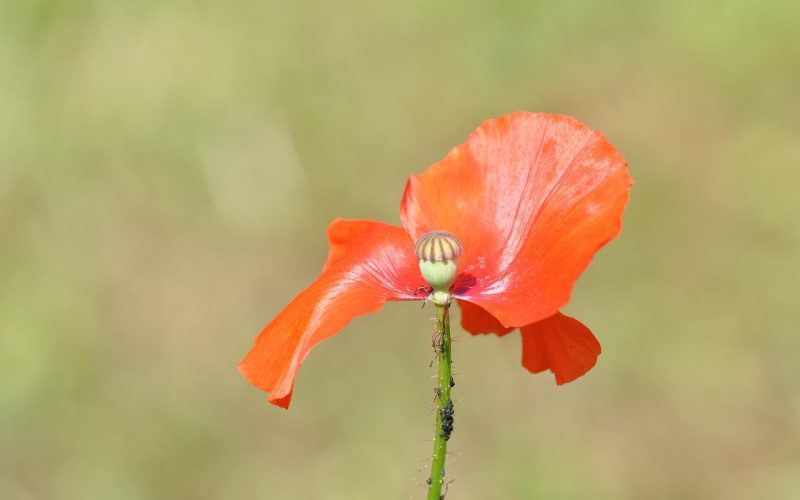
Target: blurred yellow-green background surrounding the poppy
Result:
[[167, 172]]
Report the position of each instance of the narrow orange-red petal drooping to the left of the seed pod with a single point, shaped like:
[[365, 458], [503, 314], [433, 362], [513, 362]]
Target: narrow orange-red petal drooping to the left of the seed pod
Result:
[[369, 264]]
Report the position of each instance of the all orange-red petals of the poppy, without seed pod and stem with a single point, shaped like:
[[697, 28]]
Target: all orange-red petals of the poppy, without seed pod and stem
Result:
[[531, 197]]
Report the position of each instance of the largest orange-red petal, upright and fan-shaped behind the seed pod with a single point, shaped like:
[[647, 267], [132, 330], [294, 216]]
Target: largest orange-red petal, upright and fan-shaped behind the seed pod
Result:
[[532, 197]]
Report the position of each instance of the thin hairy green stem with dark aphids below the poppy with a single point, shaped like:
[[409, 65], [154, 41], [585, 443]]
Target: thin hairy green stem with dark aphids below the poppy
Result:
[[444, 405]]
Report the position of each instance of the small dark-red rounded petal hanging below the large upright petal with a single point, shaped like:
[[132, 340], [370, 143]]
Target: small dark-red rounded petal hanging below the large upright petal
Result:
[[560, 344]]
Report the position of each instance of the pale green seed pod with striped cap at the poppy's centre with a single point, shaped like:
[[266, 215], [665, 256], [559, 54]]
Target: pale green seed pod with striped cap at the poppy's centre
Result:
[[438, 252]]
